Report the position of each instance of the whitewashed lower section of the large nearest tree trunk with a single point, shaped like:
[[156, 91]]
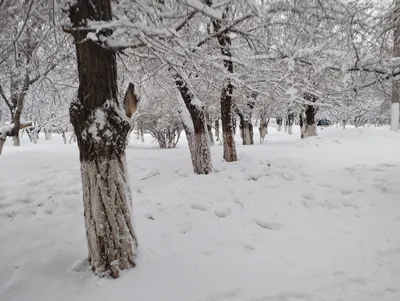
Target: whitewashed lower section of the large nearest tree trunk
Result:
[[107, 204]]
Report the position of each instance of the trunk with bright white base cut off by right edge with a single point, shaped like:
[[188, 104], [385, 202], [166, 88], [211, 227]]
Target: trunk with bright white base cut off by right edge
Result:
[[394, 116]]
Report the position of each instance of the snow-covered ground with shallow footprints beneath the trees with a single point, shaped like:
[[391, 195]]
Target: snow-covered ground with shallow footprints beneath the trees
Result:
[[293, 220]]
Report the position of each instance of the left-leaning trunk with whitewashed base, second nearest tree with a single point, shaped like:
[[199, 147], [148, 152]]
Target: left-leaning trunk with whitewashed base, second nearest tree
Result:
[[197, 140]]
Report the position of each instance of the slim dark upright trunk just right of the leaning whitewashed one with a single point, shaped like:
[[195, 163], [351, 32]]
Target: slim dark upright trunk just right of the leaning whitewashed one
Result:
[[229, 146]]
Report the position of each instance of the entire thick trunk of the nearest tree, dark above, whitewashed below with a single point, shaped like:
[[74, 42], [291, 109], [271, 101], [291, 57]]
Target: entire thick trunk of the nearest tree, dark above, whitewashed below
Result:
[[101, 129]]
